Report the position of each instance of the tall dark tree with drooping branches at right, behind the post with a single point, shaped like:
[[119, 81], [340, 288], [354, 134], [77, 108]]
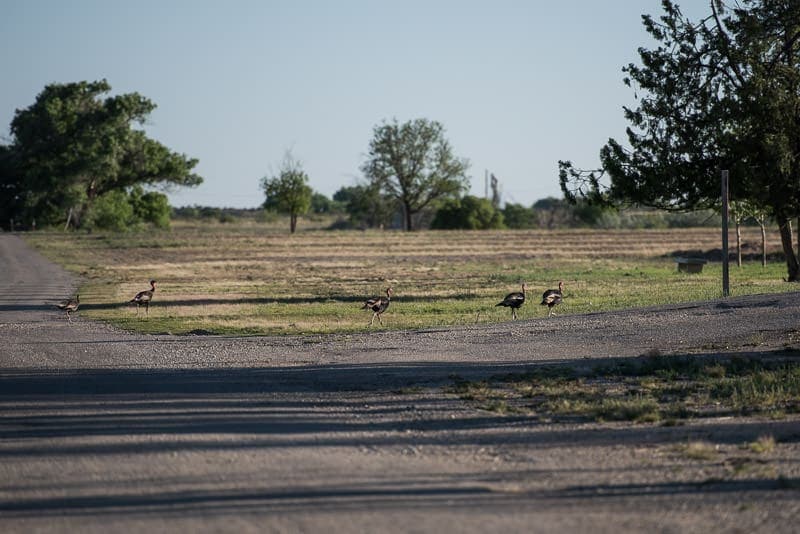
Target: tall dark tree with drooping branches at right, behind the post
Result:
[[721, 93]]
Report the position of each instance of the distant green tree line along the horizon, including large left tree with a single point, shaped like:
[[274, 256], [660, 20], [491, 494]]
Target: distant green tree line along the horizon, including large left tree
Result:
[[76, 160]]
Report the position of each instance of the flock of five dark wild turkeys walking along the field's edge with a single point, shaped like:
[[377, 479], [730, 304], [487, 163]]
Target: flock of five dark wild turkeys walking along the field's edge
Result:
[[378, 305]]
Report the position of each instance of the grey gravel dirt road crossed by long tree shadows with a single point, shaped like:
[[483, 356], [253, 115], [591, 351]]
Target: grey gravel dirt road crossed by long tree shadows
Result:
[[101, 430]]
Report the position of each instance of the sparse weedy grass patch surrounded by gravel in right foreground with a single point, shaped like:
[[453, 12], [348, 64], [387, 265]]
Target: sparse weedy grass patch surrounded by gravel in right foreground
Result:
[[666, 389]]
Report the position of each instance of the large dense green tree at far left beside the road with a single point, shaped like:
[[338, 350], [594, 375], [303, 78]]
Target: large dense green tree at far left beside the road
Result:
[[75, 143]]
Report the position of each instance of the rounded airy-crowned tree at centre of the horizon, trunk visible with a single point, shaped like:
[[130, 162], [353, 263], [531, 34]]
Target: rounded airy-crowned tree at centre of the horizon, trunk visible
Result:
[[414, 163]]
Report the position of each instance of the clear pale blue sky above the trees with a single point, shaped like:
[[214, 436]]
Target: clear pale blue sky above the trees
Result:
[[517, 85]]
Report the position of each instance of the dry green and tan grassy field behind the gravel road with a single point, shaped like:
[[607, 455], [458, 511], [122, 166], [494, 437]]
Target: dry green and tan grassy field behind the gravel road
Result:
[[249, 278]]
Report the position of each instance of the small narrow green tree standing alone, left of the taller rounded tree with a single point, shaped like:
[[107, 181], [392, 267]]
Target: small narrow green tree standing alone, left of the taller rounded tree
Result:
[[288, 191]]
